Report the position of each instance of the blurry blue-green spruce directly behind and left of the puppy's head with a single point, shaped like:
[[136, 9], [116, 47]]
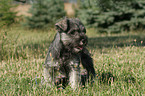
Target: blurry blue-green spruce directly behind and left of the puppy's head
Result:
[[45, 13]]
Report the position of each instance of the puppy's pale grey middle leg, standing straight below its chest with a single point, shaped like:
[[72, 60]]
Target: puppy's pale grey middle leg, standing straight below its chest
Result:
[[74, 76]]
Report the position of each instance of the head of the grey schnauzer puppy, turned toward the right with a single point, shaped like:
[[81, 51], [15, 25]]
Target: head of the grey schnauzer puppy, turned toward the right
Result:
[[72, 34]]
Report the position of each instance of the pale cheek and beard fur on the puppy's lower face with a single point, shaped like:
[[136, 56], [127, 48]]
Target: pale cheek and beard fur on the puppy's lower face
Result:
[[71, 44]]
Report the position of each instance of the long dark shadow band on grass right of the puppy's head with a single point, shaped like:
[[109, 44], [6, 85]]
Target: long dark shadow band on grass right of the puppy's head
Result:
[[116, 41]]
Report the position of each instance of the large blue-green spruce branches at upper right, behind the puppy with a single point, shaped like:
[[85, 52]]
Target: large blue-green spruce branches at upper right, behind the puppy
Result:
[[122, 16]]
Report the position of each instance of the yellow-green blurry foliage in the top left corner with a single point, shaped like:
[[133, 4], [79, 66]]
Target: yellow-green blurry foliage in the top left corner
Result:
[[7, 15]]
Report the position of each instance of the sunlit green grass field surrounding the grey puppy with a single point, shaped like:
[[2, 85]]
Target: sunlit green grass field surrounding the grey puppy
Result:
[[118, 59]]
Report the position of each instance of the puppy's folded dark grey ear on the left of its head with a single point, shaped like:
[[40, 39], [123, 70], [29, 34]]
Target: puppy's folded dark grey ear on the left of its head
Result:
[[62, 26]]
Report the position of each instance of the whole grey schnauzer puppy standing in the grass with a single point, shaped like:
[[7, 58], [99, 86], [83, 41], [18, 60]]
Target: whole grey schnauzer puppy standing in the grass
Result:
[[66, 52]]
